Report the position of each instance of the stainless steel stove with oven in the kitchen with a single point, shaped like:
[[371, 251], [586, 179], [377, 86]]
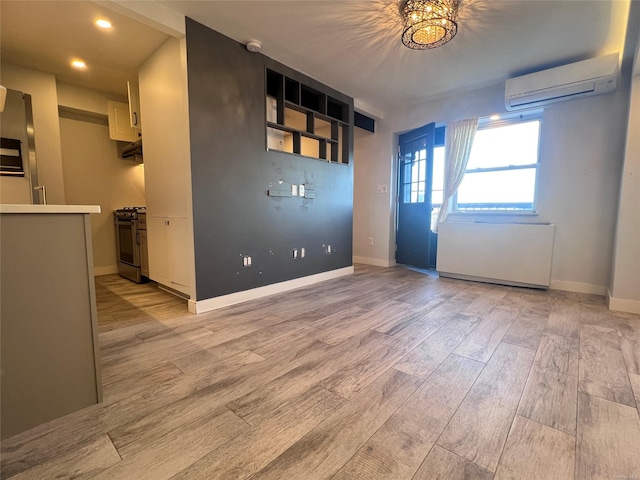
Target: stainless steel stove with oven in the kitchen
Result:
[[131, 243]]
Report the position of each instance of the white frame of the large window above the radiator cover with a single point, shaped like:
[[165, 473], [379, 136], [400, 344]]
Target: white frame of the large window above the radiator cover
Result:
[[505, 120]]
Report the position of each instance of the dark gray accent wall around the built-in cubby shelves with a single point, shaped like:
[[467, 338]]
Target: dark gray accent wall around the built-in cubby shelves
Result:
[[232, 172]]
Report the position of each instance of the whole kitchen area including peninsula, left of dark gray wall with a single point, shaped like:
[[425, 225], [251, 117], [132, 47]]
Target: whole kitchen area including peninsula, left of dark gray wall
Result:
[[75, 196]]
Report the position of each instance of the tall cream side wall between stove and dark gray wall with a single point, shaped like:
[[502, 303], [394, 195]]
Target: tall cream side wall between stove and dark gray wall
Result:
[[165, 132]]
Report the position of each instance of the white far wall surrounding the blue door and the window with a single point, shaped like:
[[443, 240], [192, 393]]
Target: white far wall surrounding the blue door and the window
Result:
[[582, 148]]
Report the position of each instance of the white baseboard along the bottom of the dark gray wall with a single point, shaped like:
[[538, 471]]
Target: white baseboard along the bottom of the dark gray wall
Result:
[[202, 306]]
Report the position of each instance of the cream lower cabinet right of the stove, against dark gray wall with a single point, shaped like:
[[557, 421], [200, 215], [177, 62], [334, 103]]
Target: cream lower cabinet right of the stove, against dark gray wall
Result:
[[169, 252]]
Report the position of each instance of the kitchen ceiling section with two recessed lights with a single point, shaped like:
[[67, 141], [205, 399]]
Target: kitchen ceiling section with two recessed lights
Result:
[[47, 35]]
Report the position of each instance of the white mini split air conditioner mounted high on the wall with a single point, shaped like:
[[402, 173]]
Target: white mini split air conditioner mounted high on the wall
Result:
[[595, 76]]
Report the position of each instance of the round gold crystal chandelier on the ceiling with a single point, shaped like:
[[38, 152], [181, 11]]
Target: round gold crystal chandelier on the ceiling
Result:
[[428, 23]]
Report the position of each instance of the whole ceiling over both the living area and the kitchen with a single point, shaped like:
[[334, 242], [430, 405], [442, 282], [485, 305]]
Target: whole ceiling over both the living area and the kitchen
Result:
[[351, 45]]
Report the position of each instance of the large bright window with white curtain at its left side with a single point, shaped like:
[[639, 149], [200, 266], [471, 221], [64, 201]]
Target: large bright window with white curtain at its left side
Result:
[[502, 172]]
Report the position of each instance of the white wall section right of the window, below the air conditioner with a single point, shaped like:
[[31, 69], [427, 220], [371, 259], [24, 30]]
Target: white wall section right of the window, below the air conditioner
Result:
[[583, 142]]
